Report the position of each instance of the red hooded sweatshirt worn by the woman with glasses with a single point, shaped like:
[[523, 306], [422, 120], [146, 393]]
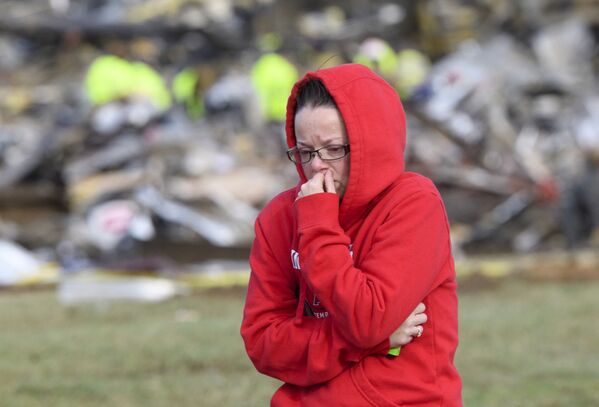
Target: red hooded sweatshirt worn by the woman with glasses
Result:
[[331, 281]]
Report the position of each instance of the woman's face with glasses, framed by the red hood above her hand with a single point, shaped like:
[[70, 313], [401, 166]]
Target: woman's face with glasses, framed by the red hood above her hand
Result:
[[322, 126]]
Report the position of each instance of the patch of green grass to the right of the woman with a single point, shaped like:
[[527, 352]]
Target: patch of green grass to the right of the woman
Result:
[[525, 344]]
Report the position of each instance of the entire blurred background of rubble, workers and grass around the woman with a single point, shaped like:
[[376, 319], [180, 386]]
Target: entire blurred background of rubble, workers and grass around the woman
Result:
[[139, 140]]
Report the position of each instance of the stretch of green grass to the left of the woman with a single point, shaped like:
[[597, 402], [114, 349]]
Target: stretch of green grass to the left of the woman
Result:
[[185, 352]]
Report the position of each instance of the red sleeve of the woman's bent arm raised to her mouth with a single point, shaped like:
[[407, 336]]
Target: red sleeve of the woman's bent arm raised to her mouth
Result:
[[401, 266]]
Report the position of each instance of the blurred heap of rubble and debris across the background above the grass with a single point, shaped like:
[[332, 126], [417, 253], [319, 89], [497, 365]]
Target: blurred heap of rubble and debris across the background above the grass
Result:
[[505, 121]]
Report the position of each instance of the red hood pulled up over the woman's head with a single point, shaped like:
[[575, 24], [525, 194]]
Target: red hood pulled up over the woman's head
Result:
[[375, 122]]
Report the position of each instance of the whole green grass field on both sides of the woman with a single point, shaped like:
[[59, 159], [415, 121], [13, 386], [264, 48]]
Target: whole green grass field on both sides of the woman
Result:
[[522, 344]]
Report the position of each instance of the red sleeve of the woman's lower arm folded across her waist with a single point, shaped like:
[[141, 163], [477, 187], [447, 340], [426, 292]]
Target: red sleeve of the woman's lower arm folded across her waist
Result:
[[300, 351]]
